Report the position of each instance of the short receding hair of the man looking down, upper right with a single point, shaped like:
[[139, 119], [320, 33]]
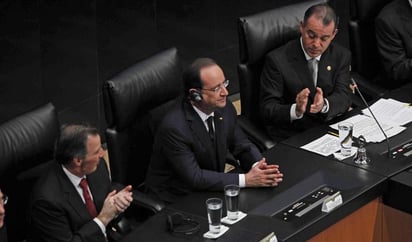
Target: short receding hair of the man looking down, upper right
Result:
[[322, 11]]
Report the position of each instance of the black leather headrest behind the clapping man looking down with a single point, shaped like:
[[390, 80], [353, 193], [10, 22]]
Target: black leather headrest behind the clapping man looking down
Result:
[[267, 30]]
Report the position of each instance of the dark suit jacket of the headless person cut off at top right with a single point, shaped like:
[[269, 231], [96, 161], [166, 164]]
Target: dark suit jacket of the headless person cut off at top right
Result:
[[394, 41]]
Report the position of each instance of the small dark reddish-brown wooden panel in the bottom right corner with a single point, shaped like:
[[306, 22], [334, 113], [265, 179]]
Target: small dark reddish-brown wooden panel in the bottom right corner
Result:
[[397, 225]]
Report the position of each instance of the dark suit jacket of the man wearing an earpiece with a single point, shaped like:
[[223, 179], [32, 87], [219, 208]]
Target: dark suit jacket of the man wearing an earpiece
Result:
[[183, 157]]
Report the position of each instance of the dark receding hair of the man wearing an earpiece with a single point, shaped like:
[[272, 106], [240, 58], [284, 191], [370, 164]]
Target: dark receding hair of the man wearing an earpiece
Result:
[[191, 75]]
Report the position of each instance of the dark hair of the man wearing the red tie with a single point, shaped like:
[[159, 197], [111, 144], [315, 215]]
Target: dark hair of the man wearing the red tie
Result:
[[72, 142]]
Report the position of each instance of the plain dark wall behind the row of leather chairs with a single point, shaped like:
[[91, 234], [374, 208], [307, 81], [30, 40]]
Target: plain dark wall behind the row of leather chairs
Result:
[[62, 51]]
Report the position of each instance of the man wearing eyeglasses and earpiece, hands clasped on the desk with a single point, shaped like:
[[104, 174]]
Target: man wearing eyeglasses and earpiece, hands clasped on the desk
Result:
[[194, 138]]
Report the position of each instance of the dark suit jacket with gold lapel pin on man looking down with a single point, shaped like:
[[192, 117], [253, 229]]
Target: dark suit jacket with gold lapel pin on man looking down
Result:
[[286, 73]]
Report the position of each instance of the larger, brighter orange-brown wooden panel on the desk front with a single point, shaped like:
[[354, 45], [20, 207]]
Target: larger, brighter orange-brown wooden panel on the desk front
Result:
[[362, 225]]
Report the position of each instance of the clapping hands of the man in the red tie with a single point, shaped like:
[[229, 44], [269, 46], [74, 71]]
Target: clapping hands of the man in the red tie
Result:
[[114, 204]]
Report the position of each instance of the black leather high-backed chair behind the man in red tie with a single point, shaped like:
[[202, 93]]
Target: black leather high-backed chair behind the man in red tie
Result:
[[26, 151]]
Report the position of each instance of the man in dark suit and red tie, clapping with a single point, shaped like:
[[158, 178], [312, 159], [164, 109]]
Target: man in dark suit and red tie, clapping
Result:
[[73, 201]]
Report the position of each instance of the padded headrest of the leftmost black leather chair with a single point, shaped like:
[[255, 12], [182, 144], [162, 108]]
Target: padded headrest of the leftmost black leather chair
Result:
[[26, 140]]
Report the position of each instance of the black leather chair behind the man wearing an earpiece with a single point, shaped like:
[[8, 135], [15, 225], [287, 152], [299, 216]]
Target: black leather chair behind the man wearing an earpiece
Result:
[[135, 101]]
